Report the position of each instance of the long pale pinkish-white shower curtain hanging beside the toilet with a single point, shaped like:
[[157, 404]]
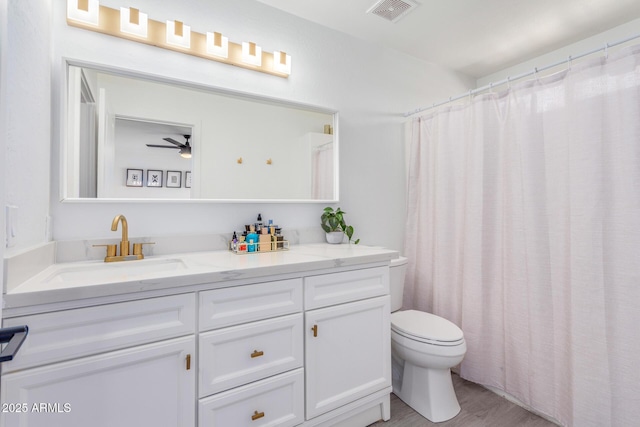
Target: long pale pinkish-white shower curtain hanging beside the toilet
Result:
[[523, 228]]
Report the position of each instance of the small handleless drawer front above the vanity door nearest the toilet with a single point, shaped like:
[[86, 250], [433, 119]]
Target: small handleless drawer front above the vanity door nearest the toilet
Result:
[[337, 288]]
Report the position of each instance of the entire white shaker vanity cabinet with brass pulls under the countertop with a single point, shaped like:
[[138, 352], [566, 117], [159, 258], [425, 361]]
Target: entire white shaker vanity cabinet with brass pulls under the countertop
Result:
[[261, 344]]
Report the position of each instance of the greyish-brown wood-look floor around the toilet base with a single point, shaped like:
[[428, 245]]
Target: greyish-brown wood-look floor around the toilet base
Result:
[[480, 408]]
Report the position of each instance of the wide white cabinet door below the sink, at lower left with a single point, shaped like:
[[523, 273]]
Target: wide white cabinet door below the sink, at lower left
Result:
[[147, 385]]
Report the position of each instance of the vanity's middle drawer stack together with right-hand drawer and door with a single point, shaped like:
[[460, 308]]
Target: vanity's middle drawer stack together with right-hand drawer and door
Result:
[[263, 369]]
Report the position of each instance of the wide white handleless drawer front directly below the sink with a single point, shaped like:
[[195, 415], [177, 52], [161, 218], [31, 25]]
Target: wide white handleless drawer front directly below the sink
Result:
[[84, 331]]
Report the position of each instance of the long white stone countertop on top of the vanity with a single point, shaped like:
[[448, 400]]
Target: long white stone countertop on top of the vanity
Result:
[[74, 281]]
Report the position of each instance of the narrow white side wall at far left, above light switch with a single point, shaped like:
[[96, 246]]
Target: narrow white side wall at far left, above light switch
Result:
[[26, 102]]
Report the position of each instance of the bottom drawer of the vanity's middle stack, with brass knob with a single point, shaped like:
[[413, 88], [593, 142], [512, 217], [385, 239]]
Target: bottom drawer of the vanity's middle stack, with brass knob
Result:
[[275, 401]]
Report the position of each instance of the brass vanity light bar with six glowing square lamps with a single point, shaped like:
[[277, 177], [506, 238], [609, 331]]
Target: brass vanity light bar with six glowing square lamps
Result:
[[131, 24]]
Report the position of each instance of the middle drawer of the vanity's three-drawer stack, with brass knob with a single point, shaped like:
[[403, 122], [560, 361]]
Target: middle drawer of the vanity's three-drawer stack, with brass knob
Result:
[[237, 355]]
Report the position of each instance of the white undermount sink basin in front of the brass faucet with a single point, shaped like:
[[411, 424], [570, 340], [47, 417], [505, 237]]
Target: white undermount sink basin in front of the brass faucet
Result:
[[110, 272]]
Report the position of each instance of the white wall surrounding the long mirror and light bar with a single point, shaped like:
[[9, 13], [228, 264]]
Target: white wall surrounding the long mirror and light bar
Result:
[[369, 86]]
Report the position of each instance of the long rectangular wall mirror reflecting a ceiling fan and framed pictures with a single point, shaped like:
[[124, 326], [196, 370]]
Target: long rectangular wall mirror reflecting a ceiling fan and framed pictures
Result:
[[134, 138]]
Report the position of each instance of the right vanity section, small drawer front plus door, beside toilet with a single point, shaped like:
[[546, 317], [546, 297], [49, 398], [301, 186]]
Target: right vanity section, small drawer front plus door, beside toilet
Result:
[[347, 340]]
